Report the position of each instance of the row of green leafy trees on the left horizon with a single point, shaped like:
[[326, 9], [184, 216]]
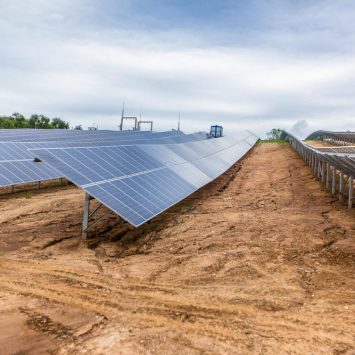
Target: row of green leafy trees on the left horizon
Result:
[[16, 120]]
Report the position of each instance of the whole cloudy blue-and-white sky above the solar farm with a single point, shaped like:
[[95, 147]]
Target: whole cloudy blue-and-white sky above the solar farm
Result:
[[254, 64]]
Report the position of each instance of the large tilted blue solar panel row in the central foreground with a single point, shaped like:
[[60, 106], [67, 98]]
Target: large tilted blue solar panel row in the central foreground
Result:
[[139, 181]]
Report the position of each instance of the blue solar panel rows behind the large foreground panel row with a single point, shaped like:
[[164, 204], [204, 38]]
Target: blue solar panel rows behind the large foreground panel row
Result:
[[16, 160]]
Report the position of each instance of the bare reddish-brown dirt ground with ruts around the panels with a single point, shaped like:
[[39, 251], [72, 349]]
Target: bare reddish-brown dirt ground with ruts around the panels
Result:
[[261, 261]]
